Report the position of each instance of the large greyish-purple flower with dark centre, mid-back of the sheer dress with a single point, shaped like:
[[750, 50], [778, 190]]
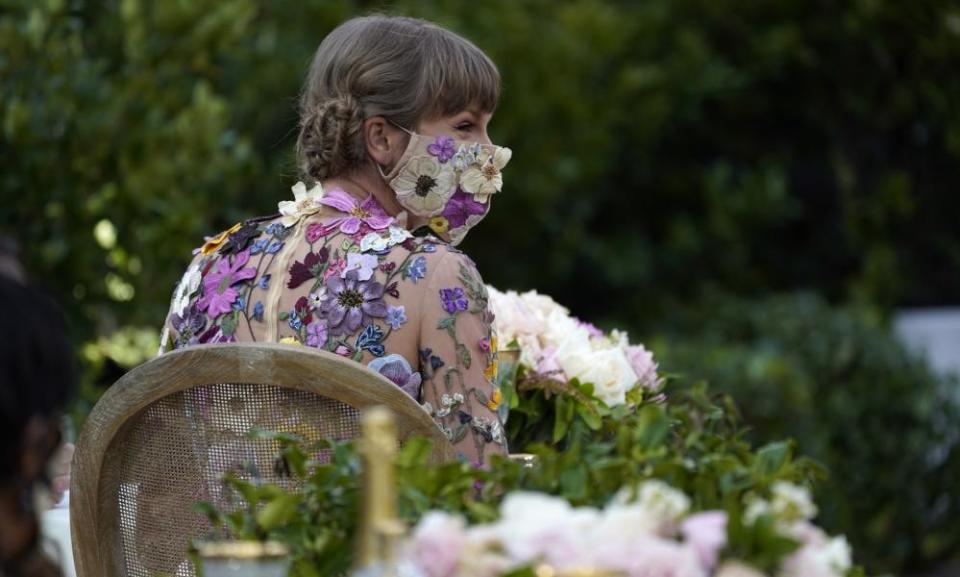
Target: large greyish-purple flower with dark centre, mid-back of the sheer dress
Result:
[[350, 303]]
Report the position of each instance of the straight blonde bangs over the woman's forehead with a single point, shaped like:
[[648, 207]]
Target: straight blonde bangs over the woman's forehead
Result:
[[458, 76]]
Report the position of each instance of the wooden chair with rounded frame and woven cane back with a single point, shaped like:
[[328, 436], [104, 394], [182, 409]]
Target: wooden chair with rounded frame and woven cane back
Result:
[[163, 436]]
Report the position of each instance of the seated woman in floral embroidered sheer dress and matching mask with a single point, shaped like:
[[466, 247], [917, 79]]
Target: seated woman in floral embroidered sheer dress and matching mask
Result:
[[393, 141]]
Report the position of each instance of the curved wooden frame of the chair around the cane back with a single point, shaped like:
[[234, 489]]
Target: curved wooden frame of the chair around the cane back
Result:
[[94, 483]]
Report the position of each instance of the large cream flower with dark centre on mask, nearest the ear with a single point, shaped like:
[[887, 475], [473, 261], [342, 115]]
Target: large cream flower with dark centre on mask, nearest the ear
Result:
[[425, 185]]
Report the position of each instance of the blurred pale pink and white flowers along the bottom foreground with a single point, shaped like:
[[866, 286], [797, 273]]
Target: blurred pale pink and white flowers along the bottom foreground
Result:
[[645, 532]]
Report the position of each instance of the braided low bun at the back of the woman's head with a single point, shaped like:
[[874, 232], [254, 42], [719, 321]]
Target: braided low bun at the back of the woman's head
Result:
[[331, 140]]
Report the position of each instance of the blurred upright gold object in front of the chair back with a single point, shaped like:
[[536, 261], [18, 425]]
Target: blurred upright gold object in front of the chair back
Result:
[[380, 529]]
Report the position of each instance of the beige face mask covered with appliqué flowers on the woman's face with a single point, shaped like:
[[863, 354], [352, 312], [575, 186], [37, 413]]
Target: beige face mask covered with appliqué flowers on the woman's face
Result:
[[447, 184]]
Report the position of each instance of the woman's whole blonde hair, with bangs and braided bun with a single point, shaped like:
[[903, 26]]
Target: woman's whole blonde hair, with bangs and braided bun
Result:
[[404, 69]]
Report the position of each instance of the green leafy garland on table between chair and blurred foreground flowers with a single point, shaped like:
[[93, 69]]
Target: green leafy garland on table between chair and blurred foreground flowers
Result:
[[693, 443]]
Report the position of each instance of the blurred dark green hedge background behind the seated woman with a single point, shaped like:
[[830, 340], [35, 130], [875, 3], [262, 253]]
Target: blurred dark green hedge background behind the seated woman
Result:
[[752, 188]]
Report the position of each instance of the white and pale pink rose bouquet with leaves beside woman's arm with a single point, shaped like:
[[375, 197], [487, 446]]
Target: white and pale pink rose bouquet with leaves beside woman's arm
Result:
[[557, 370]]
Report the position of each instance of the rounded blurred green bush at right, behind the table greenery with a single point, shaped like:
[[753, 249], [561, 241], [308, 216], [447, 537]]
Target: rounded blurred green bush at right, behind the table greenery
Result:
[[856, 400]]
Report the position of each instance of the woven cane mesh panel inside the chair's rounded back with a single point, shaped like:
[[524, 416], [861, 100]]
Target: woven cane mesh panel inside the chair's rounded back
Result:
[[177, 450]]
